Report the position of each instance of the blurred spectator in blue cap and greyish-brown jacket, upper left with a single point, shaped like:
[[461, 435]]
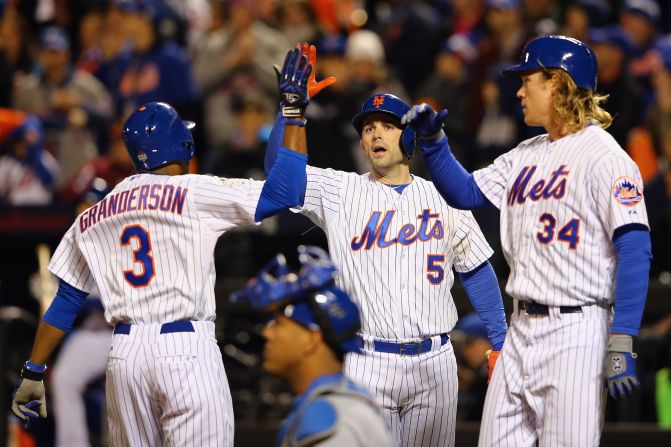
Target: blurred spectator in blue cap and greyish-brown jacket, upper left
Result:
[[73, 105]]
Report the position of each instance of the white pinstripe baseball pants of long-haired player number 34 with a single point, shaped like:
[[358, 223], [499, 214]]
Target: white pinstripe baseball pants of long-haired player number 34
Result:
[[548, 381]]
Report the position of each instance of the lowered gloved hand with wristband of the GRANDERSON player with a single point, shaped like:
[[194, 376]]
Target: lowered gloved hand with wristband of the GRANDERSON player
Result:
[[29, 397]]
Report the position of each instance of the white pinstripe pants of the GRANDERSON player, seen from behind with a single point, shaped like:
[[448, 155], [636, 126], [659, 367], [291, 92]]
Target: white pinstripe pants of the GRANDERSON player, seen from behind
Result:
[[168, 389]]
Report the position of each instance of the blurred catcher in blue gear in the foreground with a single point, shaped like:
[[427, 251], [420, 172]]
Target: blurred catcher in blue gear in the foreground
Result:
[[313, 326]]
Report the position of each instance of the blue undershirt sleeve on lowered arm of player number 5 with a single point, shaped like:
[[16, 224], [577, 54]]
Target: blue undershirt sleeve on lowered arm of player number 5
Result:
[[483, 290]]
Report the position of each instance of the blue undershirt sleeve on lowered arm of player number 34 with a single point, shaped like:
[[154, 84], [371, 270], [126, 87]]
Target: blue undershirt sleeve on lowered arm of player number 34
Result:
[[634, 253]]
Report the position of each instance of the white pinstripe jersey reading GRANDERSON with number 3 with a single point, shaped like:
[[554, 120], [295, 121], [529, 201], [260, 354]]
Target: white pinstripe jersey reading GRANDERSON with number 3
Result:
[[149, 244]]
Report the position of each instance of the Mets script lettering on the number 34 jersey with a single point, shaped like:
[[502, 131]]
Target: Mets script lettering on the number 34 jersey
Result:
[[552, 188]]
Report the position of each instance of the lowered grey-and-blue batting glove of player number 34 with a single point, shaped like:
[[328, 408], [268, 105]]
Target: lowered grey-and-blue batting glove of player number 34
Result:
[[620, 365]]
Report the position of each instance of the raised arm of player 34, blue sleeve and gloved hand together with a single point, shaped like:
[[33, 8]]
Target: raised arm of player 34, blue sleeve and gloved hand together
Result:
[[454, 183]]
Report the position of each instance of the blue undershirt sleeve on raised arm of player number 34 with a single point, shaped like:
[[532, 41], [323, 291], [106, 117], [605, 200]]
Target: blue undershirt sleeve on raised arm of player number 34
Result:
[[454, 183]]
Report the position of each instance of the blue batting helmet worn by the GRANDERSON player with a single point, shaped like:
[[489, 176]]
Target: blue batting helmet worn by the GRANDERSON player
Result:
[[155, 136]]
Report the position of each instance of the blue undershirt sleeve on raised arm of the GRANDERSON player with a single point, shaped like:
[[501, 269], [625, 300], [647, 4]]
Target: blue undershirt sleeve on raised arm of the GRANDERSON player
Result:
[[285, 186]]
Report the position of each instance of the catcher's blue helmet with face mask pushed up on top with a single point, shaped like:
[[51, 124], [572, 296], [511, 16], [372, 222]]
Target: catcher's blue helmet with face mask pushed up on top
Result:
[[309, 297]]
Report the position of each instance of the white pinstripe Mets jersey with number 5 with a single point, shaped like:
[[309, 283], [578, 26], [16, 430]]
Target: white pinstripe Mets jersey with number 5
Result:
[[395, 251]]
